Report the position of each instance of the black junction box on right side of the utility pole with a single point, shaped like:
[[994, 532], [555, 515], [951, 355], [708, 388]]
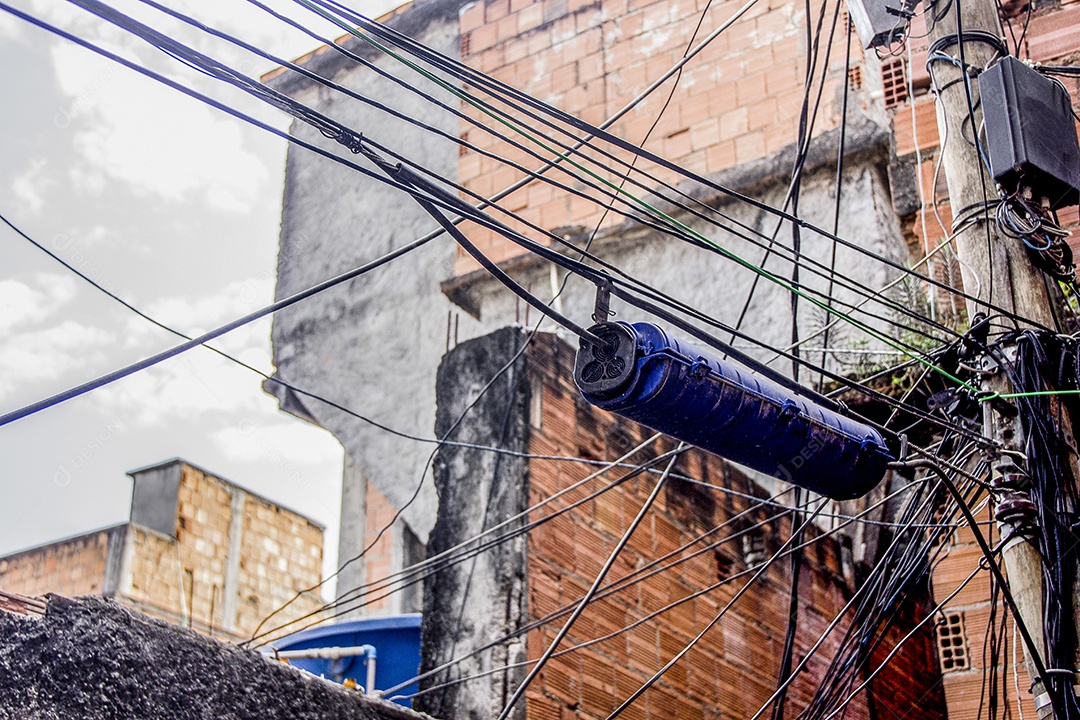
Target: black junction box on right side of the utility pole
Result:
[[1031, 137]]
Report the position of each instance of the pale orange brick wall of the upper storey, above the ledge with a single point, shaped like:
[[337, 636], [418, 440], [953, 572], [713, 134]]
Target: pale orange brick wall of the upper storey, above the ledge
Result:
[[737, 102]]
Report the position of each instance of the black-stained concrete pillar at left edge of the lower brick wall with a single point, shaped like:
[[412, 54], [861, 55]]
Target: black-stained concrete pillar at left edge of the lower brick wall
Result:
[[482, 600]]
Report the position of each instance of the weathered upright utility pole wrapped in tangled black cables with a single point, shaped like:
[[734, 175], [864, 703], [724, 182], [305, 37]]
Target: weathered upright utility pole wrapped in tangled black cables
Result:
[[996, 269]]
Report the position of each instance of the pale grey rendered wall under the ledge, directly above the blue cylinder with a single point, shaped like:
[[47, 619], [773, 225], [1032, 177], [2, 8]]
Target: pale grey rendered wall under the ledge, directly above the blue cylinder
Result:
[[715, 284]]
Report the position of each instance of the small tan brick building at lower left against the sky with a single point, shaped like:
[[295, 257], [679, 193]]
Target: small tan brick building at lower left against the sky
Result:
[[198, 551]]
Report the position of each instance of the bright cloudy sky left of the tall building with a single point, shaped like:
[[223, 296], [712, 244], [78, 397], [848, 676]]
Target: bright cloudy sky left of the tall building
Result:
[[173, 207]]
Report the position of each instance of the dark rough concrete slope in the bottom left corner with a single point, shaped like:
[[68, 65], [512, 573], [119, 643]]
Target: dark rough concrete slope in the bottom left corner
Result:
[[90, 659]]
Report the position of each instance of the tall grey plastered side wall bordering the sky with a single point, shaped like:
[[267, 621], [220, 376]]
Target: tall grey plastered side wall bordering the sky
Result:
[[373, 345]]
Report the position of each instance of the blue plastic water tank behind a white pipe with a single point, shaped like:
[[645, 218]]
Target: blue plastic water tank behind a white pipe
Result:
[[397, 642]]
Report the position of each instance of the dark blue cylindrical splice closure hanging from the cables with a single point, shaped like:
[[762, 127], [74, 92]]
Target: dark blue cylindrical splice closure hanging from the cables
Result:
[[646, 376]]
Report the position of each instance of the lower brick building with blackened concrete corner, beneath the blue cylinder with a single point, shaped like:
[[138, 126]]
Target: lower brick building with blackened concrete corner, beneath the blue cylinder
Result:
[[713, 541]]
